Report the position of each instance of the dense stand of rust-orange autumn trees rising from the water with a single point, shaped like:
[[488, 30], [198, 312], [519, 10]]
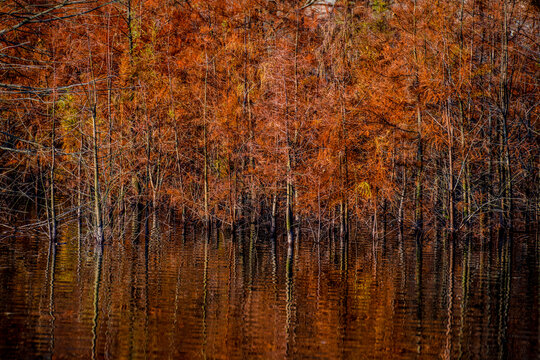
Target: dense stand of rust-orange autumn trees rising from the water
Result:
[[411, 114]]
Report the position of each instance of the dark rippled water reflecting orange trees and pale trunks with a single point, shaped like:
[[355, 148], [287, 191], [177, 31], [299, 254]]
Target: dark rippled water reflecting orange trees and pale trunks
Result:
[[169, 296]]
